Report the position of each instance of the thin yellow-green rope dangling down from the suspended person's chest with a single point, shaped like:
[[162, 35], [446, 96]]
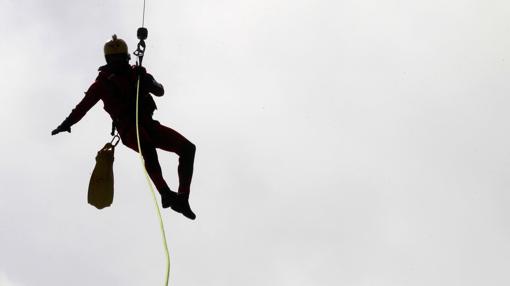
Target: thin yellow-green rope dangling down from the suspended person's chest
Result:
[[161, 226]]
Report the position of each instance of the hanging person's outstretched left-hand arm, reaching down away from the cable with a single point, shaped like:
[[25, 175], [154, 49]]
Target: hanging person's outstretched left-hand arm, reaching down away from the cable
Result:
[[92, 96]]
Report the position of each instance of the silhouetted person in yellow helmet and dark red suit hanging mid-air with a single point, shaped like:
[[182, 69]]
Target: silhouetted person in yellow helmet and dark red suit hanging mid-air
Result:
[[116, 87]]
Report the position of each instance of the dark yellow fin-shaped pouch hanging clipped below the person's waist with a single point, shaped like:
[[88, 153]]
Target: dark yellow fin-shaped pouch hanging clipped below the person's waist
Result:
[[100, 193]]
